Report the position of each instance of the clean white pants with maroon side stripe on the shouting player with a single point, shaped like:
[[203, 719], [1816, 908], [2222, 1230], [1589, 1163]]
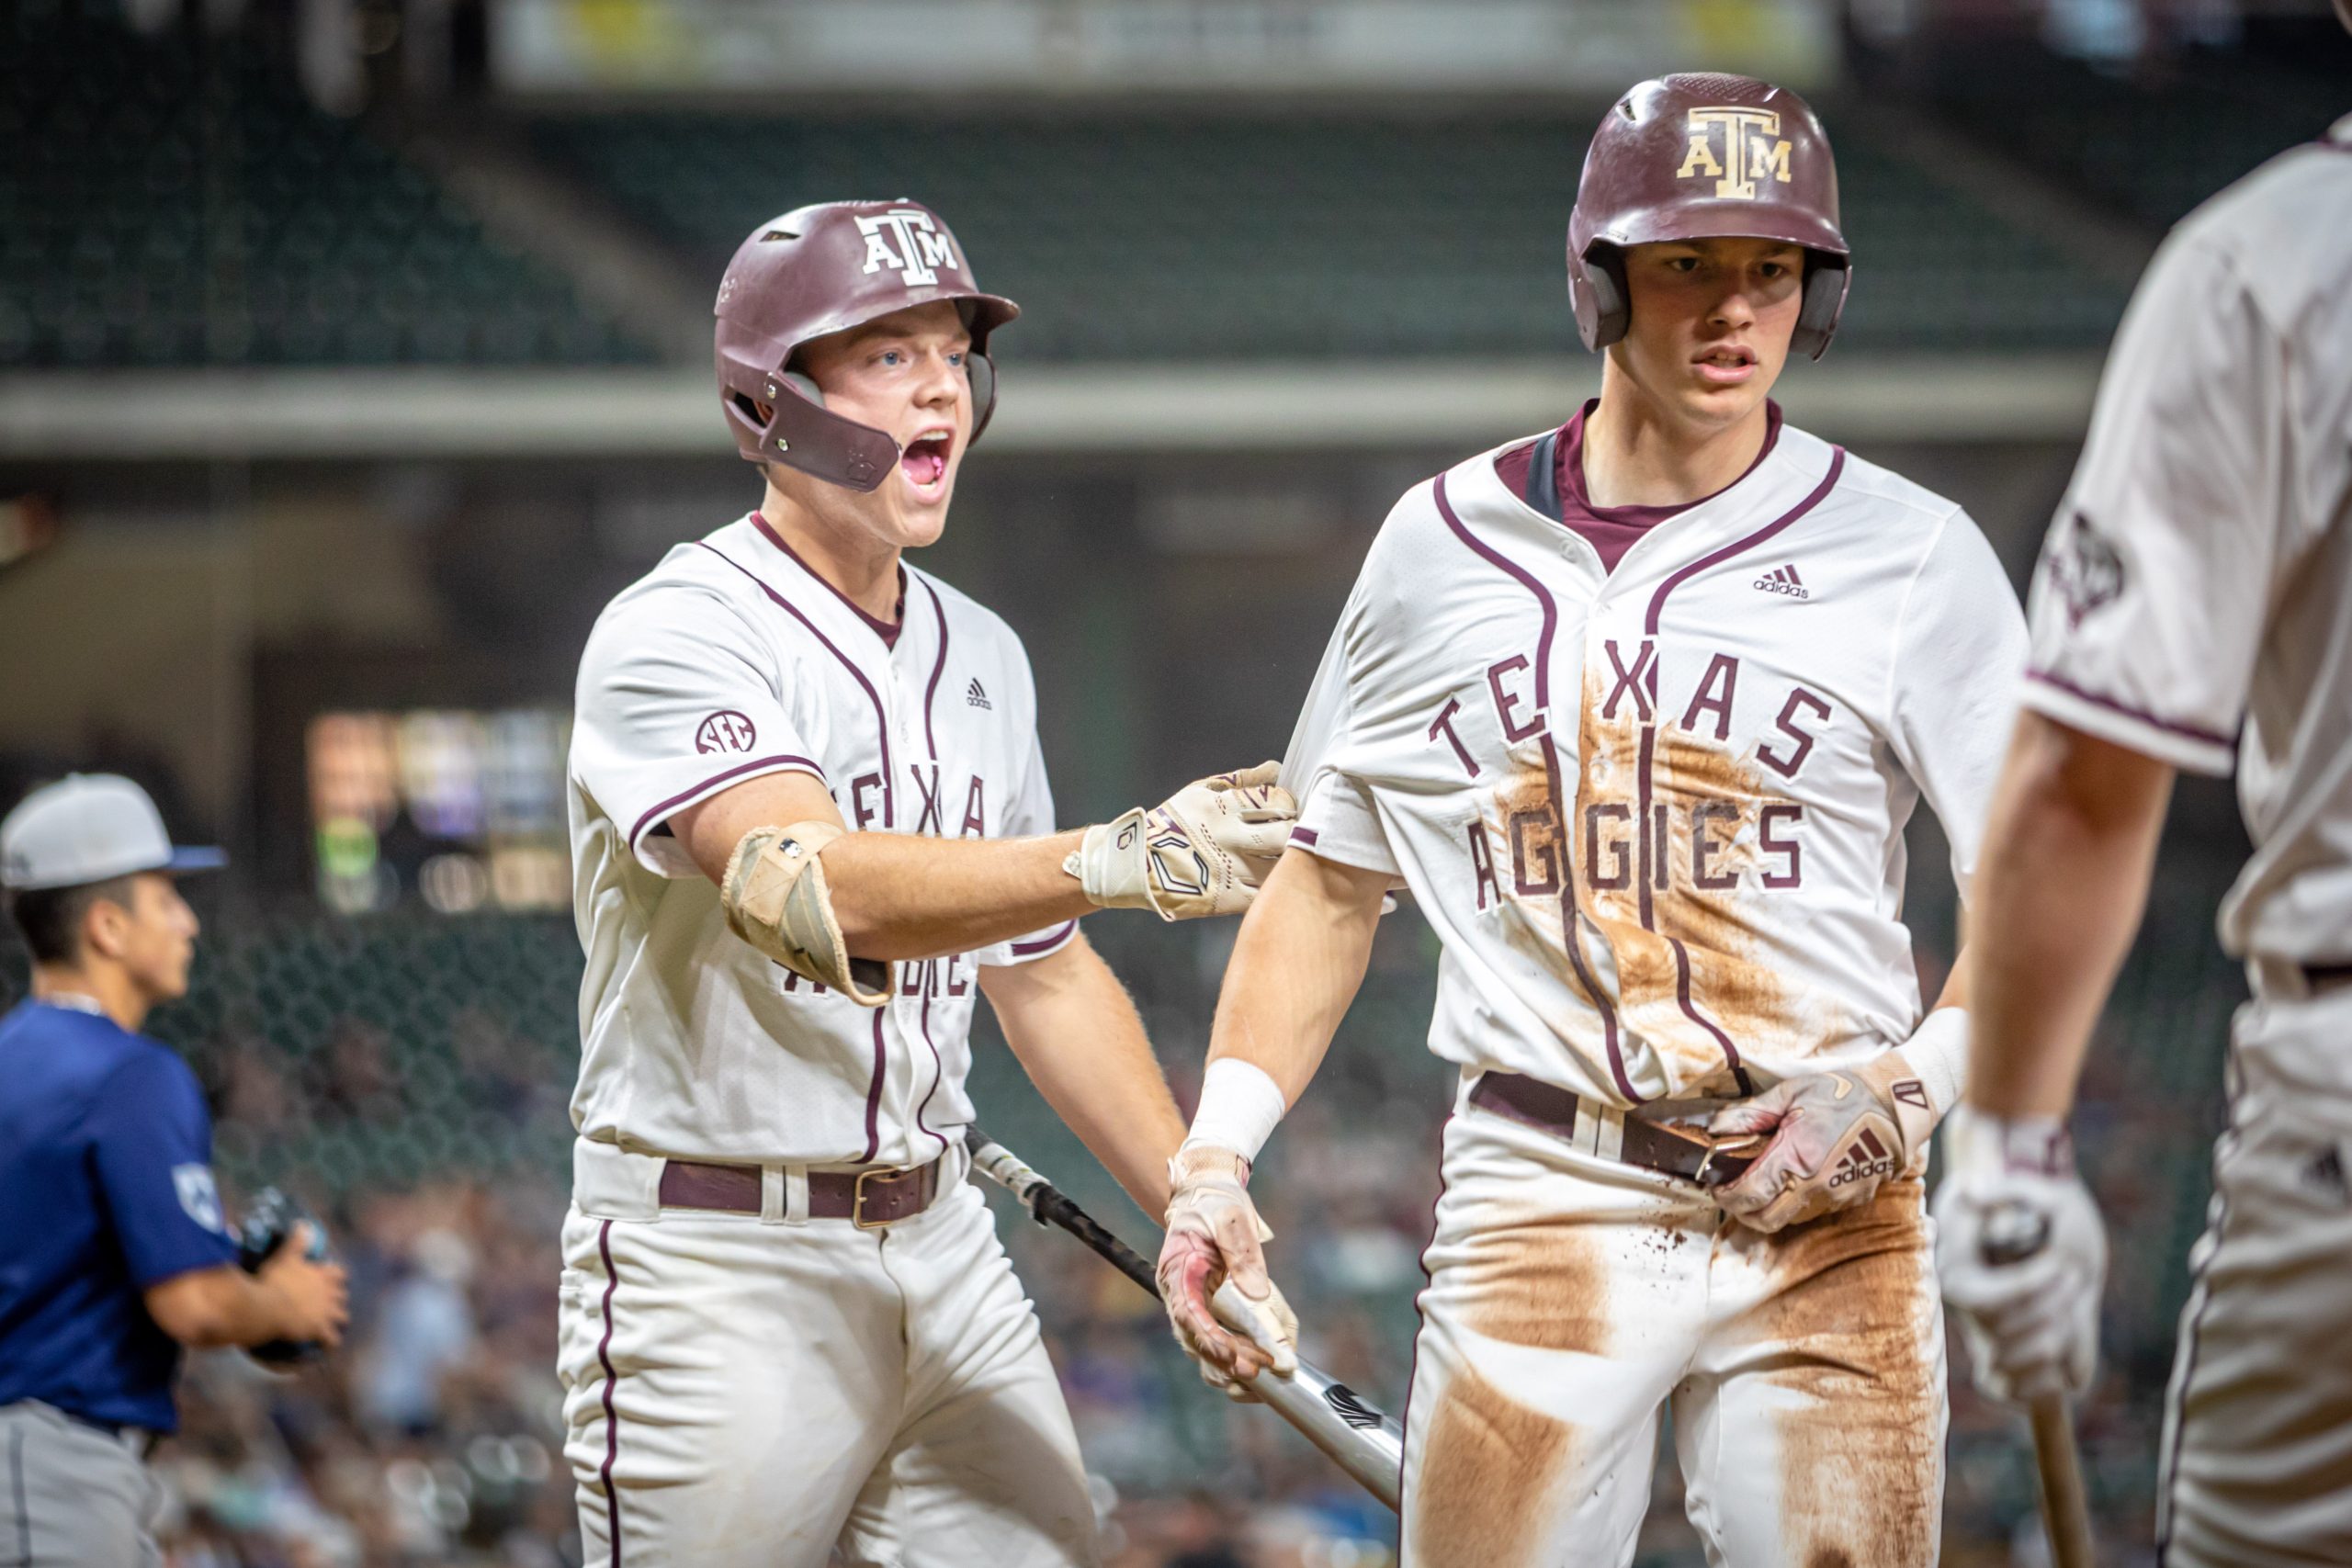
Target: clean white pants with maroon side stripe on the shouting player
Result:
[[749, 1393]]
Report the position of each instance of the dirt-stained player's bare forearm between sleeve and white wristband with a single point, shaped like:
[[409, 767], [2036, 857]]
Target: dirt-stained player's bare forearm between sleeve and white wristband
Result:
[[1295, 967]]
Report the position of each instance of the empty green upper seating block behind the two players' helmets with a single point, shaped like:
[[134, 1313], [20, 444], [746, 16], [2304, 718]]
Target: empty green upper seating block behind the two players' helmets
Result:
[[1295, 239]]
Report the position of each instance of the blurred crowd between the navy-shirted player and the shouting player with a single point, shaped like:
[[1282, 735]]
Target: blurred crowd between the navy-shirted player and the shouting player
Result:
[[432, 1438]]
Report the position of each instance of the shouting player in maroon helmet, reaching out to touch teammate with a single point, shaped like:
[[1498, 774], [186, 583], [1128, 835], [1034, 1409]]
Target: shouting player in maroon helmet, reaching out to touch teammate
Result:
[[810, 826]]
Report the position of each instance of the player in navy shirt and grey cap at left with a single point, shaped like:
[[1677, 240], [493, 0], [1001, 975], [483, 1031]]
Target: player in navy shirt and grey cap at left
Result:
[[114, 1249]]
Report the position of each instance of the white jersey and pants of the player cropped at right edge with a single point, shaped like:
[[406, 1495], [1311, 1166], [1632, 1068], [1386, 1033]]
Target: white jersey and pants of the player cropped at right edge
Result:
[[2196, 605]]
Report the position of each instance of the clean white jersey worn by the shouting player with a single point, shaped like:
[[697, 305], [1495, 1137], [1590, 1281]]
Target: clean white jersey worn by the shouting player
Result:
[[728, 662]]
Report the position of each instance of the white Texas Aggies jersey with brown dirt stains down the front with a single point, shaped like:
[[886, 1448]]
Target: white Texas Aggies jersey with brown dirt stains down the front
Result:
[[1657, 815]]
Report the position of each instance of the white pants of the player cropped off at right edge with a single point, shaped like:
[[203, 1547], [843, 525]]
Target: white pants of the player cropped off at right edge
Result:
[[2257, 1459]]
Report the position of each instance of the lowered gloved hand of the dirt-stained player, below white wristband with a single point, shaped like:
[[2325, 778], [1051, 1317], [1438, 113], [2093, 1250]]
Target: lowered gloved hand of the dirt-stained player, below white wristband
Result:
[[1215, 1238]]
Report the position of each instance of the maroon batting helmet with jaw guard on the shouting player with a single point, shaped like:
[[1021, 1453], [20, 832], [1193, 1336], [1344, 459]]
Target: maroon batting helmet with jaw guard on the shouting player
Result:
[[829, 269]]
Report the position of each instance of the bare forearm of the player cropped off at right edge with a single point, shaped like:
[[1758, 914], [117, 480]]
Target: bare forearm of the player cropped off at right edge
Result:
[[2059, 894]]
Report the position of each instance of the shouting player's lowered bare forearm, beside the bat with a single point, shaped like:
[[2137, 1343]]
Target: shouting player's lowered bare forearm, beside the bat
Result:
[[1078, 1036]]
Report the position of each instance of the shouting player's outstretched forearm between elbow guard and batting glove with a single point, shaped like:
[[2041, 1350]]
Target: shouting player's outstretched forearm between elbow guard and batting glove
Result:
[[904, 897]]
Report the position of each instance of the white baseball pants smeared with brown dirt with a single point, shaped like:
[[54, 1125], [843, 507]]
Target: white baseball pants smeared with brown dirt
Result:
[[1570, 1299]]
